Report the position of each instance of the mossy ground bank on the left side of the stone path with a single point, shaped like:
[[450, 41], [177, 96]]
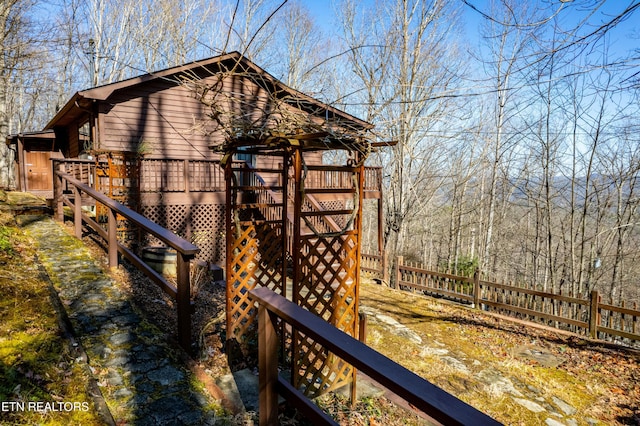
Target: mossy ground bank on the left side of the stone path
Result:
[[35, 361]]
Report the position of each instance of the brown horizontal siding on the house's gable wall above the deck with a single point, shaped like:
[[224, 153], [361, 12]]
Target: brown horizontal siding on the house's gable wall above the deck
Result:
[[164, 119]]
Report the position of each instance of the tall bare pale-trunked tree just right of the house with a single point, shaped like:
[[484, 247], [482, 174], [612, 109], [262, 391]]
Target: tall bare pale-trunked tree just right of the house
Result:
[[402, 59]]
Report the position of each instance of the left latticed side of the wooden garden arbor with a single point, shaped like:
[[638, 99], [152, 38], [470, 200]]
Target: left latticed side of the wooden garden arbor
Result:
[[256, 240]]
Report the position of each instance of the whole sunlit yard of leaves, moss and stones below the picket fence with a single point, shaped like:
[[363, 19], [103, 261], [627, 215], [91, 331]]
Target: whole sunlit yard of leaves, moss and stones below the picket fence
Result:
[[483, 360]]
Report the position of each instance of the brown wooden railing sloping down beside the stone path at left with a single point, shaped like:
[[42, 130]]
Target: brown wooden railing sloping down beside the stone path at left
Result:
[[68, 190]]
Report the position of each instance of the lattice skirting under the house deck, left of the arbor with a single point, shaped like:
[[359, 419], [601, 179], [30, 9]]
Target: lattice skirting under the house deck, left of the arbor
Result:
[[205, 227]]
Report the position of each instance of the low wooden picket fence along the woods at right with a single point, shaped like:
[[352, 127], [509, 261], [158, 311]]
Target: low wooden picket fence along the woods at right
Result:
[[587, 316]]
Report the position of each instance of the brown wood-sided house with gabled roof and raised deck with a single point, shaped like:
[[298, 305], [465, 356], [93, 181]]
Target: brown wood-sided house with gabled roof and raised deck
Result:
[[155, 142]]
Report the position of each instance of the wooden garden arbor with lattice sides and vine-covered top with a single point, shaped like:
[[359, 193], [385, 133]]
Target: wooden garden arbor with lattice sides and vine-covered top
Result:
[[279, 235]]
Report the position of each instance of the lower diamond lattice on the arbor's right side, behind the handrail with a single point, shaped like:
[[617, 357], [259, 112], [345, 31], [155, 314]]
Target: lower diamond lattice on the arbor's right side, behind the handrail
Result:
[[328, 287]]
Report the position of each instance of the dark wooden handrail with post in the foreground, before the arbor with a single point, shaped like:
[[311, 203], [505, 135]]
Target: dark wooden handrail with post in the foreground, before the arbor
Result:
[[425, 396]]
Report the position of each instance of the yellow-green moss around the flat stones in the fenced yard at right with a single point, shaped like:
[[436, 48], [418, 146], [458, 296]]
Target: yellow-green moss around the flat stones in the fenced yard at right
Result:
[[484, 344]]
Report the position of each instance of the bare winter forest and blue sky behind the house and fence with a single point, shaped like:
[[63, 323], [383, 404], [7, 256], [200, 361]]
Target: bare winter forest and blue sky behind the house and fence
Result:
[[516, 123]]
